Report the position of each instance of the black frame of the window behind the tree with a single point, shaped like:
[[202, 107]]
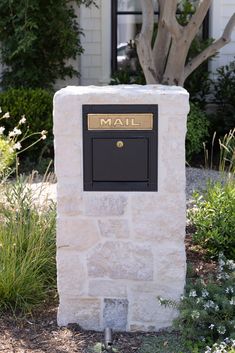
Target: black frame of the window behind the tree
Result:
[[114, 18]]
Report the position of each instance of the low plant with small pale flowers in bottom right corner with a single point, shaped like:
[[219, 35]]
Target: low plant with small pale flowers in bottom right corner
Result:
[[207, 310]]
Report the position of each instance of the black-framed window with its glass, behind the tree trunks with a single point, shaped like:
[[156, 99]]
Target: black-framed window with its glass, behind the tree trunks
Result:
[[126, 23]]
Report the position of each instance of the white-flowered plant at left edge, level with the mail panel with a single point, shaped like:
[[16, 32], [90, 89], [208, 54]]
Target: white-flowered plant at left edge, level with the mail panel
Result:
[[11, 144]]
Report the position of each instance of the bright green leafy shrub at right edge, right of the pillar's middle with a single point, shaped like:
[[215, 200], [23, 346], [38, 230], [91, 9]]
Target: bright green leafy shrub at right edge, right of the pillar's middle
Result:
[[214, 219]]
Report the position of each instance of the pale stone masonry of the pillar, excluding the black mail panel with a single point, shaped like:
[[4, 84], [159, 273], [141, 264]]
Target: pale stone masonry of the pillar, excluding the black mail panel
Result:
[[117, 251]]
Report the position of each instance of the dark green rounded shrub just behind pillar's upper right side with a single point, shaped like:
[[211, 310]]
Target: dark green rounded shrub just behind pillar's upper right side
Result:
[[197, 131]]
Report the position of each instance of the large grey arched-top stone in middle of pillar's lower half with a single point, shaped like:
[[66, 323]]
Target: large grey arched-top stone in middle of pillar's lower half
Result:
[[121, 260]]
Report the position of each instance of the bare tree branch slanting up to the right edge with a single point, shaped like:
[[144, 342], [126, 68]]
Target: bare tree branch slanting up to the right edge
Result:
[[212, 49]]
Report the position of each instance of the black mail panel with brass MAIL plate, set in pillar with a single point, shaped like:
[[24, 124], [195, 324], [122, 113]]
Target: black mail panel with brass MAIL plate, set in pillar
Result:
[[120, 147]]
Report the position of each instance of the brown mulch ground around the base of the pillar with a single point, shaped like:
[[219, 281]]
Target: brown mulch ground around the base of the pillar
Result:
[[40, 332]]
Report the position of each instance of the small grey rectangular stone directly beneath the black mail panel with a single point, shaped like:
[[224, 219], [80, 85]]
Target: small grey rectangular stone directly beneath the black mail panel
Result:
[[104, 204]]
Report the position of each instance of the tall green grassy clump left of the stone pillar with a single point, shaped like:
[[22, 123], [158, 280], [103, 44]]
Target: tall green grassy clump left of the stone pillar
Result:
[[27, 250]]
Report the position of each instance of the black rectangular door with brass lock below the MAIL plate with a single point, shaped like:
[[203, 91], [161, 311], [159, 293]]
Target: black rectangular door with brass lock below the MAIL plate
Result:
[[120, 160]]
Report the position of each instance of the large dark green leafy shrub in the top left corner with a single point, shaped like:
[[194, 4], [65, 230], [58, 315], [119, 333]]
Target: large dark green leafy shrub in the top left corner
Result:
[[37, 39]]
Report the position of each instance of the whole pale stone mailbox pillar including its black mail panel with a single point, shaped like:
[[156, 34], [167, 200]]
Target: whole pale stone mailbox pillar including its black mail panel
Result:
[[118, 248]]
